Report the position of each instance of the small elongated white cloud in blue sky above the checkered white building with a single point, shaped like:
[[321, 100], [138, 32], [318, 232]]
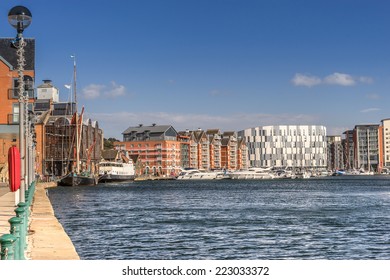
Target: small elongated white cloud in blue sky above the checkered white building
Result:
[[336, 78]]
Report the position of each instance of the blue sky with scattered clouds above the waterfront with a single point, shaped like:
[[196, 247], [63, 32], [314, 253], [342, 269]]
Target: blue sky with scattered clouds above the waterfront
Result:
[[228, 64]]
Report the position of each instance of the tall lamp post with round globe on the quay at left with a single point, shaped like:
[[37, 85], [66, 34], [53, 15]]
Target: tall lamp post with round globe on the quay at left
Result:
[[20, 18]]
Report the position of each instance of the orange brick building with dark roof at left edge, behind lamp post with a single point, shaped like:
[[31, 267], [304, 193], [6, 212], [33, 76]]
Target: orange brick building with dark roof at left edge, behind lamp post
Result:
[[9, 109]]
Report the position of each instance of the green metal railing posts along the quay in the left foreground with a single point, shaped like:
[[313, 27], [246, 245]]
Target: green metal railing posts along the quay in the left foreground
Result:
[[14, 244]]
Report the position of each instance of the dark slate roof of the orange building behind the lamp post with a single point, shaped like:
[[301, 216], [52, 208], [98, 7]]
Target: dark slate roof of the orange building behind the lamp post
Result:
[[8, 53]]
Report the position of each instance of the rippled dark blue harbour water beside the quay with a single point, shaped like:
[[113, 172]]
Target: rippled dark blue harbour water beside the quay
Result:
[[330, 218]]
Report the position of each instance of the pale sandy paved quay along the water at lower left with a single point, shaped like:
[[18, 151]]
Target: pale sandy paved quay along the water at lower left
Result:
[[47, 239]]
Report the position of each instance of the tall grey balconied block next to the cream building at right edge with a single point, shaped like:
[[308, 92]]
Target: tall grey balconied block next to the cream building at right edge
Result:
[[366, 146]]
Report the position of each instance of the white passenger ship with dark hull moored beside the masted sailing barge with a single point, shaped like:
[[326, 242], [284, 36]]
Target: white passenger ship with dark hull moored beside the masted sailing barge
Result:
[[110, 171]]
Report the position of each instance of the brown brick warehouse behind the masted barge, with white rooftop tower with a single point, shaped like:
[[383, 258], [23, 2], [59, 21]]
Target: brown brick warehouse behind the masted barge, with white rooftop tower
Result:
[[55, 132]]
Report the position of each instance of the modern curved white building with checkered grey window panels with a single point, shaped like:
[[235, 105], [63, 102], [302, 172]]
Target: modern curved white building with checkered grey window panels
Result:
[[295, 146]]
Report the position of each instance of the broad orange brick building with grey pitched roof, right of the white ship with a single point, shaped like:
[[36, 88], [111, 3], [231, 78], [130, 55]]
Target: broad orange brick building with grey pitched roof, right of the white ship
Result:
[[157, 147]]
